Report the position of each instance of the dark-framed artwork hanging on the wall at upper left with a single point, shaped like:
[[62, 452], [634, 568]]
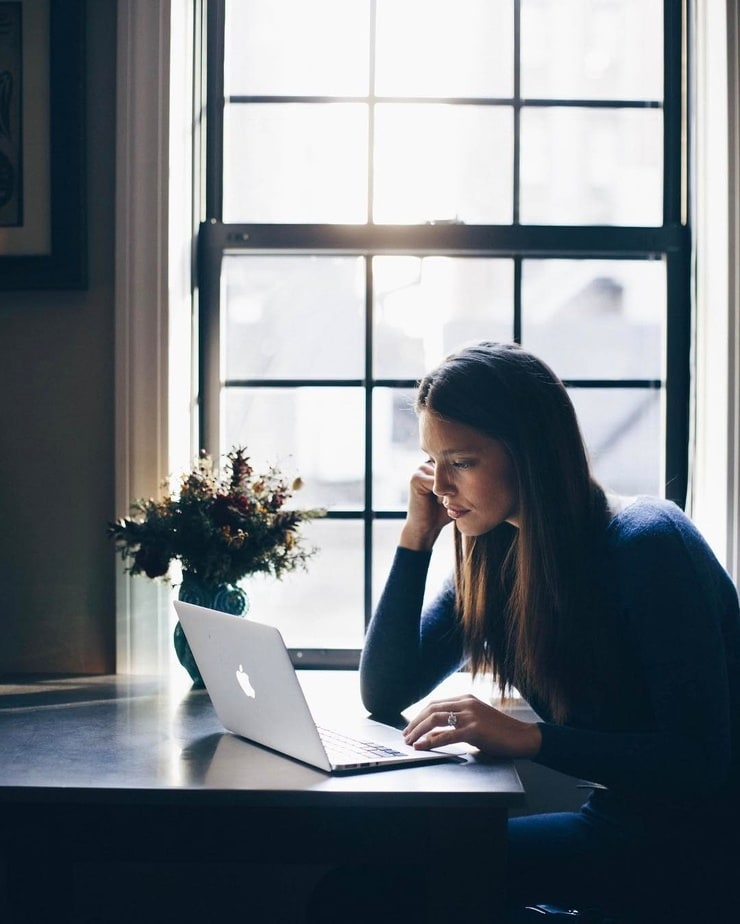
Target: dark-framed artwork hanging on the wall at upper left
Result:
[[43, 228]]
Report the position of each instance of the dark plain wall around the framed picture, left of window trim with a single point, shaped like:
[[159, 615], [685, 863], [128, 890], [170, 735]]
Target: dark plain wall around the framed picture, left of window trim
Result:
[[57, 571]]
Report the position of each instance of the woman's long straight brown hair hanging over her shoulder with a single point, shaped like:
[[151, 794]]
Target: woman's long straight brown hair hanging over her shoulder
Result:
[[527, 595]]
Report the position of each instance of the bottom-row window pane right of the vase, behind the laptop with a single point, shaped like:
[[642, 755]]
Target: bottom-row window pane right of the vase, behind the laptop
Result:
[[322, 607]]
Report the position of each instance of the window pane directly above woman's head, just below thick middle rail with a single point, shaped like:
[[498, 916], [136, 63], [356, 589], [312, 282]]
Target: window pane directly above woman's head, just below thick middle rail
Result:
[[425, 307]]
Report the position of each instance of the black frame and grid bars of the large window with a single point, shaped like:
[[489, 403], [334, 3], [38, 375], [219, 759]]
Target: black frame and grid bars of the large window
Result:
[[672, 242]]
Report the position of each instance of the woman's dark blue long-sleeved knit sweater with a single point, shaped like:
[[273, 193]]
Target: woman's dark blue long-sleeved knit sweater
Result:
[[668, 740]]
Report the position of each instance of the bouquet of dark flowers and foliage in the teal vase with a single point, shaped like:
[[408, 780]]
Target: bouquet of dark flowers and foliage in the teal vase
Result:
[[220, 529]]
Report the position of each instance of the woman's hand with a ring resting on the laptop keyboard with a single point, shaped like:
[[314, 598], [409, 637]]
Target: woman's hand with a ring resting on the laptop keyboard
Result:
[[468, 719]]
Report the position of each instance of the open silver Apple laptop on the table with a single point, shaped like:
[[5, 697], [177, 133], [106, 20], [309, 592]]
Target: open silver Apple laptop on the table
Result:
[[256, 694]]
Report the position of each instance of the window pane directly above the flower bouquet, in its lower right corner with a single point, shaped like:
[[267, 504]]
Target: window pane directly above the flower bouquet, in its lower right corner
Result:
[[317, 433]]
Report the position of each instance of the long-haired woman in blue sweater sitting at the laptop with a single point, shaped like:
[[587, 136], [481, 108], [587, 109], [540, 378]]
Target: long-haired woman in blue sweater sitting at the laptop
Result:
[[612, 618]]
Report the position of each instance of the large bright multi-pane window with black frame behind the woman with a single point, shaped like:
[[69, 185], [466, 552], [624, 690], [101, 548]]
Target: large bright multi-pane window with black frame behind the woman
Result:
[[388, 179]]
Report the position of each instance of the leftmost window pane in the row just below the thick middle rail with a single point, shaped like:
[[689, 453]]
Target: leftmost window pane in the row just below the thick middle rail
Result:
[[285, 315]]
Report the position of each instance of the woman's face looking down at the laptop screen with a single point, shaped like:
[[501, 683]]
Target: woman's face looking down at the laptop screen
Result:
[[474, 475]]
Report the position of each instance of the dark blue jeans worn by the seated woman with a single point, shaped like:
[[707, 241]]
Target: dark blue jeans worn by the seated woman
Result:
[[588, 859]]
